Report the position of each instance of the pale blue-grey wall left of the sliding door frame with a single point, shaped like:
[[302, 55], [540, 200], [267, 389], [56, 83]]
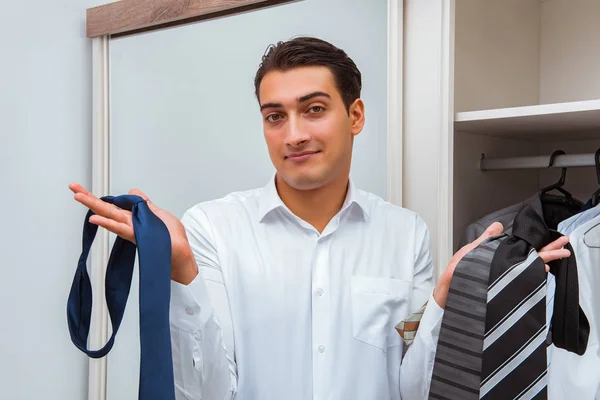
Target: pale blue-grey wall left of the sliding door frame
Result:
[[45, 111]]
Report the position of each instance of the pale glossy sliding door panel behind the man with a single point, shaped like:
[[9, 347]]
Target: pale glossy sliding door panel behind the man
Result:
[[185, 126]]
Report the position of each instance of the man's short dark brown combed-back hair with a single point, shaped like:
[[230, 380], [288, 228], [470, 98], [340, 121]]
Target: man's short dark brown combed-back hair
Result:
[[309, 51]]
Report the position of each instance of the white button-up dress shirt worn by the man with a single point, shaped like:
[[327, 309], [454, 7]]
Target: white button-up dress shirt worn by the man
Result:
[[279, 311]]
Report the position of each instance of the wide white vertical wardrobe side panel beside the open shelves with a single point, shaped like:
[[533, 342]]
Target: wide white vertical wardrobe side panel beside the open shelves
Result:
[[428, 119]]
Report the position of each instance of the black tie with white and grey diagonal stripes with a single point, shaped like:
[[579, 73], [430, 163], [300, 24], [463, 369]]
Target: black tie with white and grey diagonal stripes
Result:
[[514, 348]]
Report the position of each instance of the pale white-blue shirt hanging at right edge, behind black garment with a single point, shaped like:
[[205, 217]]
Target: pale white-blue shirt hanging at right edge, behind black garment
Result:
[[571, 375]]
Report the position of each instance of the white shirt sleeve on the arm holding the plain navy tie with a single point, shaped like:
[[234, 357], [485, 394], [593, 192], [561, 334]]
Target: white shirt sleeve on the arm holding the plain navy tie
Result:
[[201, 328]]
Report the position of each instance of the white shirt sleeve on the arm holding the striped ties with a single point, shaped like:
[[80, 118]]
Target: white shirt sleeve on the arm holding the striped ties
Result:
[[417, 364]]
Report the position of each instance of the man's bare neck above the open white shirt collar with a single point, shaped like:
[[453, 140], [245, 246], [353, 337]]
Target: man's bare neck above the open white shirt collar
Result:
[[317, 206]]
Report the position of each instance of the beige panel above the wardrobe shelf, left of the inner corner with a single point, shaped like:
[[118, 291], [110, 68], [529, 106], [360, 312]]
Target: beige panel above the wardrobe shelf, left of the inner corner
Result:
[[497, 54]]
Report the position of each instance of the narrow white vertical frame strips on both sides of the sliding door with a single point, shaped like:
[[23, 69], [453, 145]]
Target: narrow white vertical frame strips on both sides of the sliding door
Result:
[[101, 162]]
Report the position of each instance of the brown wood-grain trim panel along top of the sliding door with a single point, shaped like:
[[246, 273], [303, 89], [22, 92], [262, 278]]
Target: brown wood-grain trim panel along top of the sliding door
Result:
[[126, 17]]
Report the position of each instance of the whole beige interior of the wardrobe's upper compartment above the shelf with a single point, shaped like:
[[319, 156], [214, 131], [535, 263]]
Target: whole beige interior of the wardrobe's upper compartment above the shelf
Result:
[[550, 54]]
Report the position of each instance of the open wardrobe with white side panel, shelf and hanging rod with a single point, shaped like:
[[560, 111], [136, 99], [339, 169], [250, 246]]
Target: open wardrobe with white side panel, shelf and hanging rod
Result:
[[491, 88]]
